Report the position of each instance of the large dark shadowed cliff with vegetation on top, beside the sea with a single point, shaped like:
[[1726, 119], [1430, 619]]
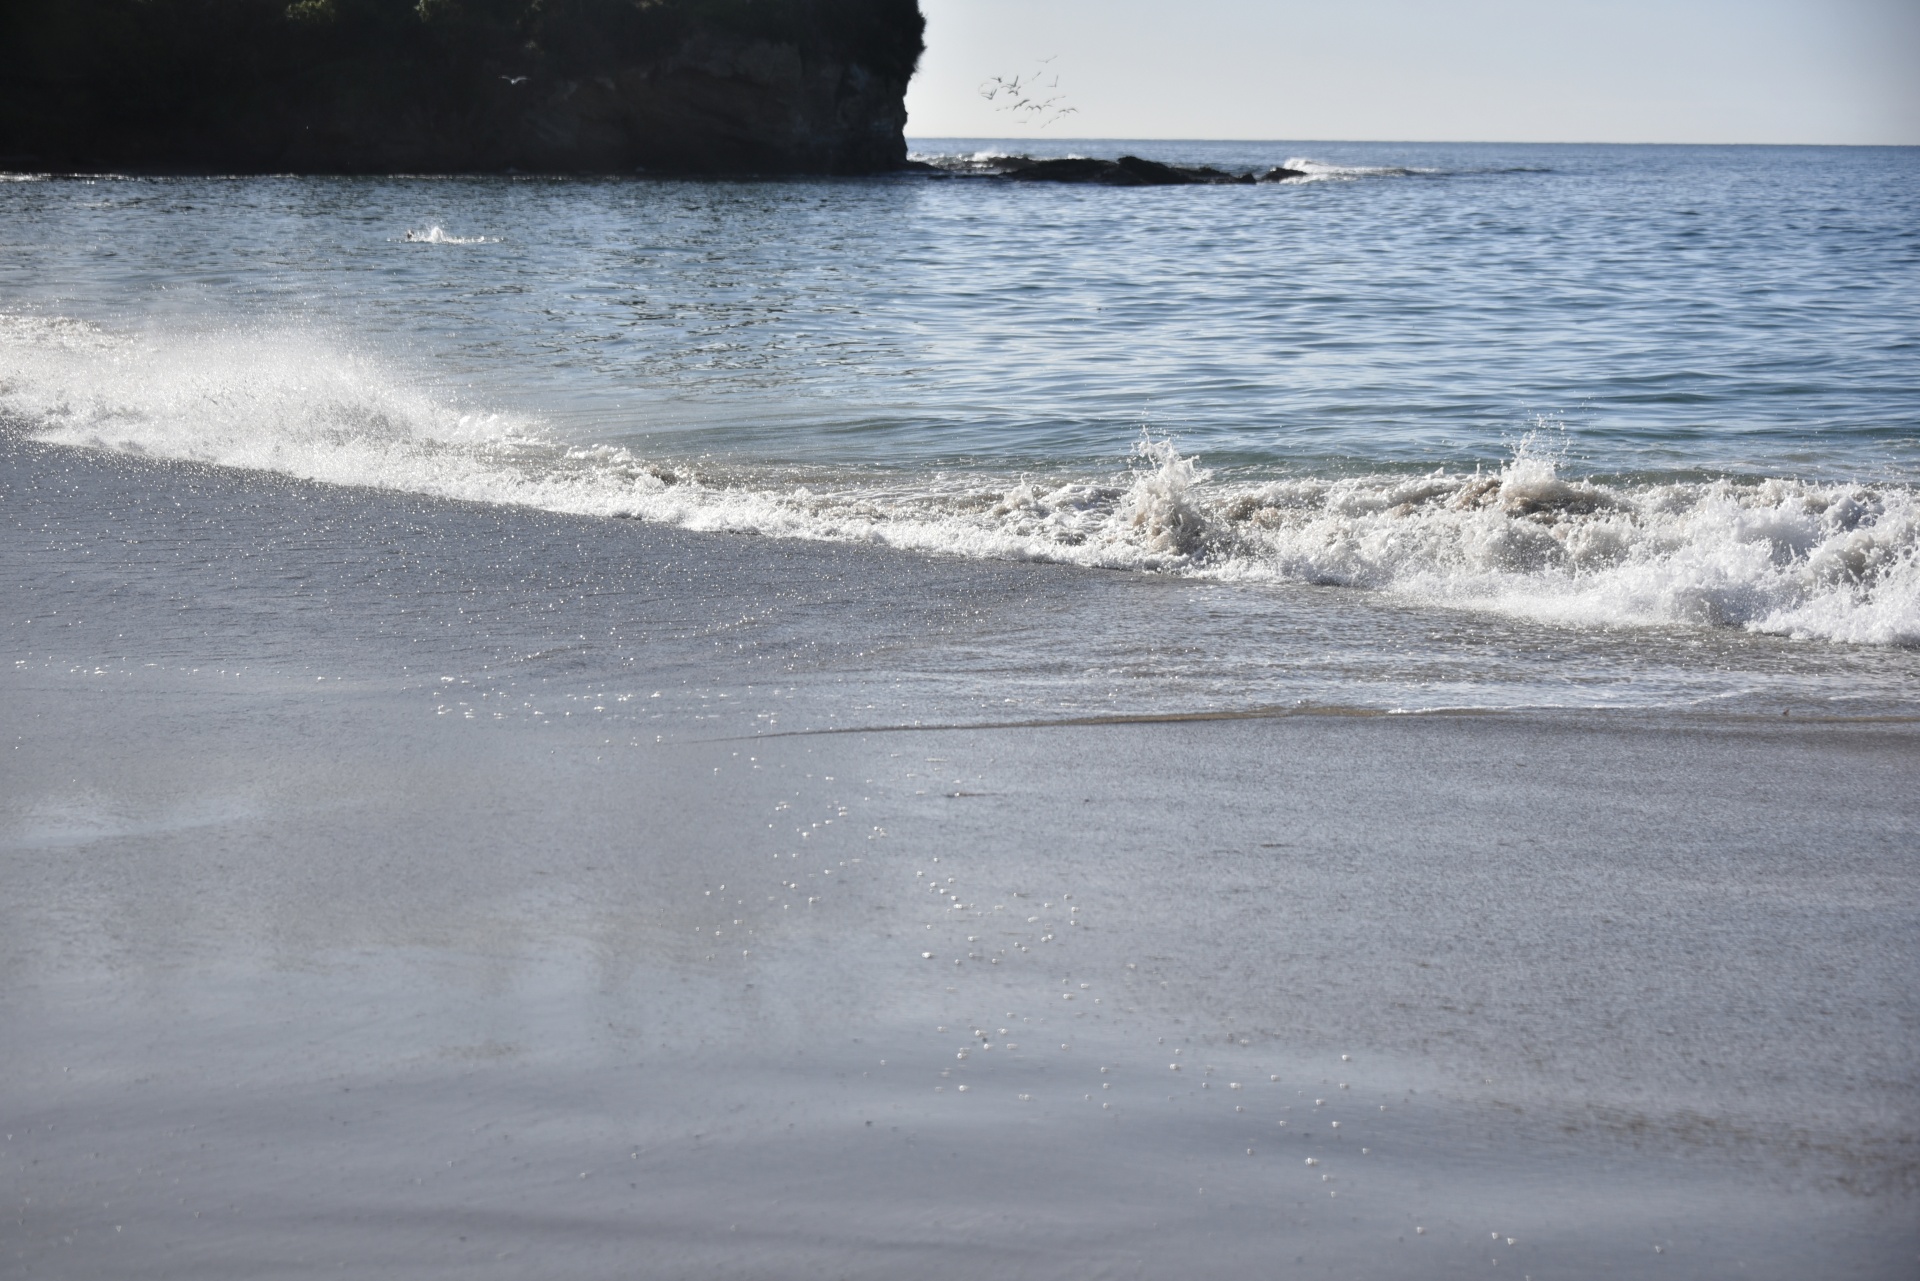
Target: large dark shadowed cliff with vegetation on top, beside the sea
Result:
[[458, 85]]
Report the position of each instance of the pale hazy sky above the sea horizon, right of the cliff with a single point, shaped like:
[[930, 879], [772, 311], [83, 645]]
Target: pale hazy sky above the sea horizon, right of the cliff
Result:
[[1431, 70]]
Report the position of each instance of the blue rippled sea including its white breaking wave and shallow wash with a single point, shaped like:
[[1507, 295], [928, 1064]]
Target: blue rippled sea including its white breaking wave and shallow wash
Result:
[[1648, 416]]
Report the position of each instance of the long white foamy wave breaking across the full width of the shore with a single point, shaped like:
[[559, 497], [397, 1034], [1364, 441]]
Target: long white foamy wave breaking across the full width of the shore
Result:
[[1792, 558]]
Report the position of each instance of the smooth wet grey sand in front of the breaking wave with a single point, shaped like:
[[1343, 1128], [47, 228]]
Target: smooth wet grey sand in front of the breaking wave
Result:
[[366, 911]]
